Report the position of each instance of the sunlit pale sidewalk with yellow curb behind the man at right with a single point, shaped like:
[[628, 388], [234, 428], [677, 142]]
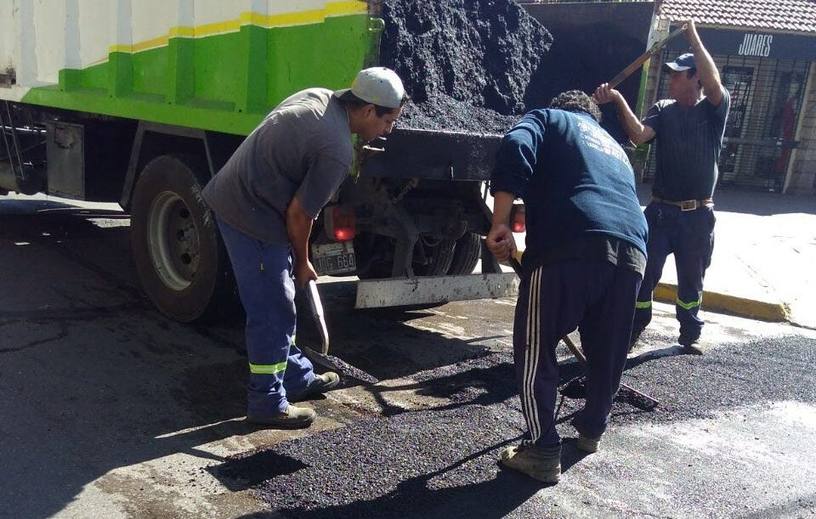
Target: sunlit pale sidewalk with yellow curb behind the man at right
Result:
[[764, 264]]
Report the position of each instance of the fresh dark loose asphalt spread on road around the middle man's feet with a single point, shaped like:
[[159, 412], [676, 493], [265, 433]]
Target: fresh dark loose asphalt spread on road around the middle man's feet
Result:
[[431, 463]]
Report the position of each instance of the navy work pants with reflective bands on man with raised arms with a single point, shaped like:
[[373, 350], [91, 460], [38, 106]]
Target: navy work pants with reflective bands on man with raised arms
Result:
[[689, 235]]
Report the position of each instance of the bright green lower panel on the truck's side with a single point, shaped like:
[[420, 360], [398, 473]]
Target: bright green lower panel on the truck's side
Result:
[[224, 82]]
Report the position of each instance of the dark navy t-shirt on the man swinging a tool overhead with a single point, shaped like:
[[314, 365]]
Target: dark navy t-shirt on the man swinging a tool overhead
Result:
[[689, 140]]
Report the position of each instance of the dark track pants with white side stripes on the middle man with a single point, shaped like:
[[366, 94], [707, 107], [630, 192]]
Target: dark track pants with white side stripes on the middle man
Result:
[[596, 297]]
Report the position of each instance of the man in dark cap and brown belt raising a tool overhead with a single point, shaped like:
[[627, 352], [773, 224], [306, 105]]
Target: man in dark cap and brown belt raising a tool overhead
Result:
[[688, 129]]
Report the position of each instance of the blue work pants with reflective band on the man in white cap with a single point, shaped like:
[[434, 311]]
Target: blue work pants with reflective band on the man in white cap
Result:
[[264, 276]]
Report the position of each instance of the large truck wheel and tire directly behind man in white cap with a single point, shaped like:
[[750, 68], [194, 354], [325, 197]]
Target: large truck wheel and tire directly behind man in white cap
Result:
[[179, 257]]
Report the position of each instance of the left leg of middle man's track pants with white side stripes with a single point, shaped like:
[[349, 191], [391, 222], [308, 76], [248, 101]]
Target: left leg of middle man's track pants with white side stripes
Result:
[[547, 309]]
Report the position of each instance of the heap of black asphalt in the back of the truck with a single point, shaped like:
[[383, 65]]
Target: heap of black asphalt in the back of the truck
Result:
[[467, 64]]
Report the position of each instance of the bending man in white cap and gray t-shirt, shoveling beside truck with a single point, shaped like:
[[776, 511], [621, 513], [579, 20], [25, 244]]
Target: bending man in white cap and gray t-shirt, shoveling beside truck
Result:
[[265, 199]]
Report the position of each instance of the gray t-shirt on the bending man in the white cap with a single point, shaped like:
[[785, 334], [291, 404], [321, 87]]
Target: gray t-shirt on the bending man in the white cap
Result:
[[303, 147]]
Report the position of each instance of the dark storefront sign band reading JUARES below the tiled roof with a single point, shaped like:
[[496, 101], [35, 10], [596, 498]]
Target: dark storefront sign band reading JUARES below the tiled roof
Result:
[[753, 44]]
